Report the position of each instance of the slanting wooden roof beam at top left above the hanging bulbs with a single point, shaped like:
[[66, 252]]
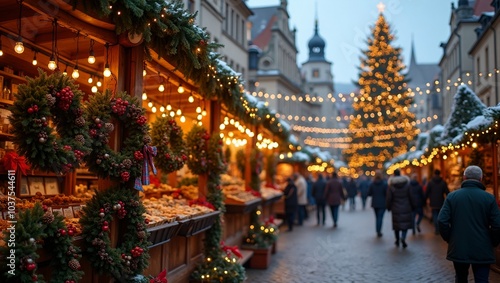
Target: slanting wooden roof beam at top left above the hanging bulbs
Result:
[[53, 10]]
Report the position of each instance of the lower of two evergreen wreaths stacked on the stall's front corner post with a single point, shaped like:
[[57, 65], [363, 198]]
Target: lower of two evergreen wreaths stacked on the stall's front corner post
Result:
[[130, 256]]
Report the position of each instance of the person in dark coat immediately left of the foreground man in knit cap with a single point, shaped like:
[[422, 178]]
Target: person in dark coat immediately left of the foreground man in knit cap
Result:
[[436, 192]]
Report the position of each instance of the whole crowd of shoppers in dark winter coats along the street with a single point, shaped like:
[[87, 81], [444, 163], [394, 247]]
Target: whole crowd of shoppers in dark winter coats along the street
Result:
[[468, 219]]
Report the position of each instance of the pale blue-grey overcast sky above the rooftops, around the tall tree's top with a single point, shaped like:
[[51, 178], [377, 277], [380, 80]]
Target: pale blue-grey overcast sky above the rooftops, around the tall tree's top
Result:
[[345, 25]]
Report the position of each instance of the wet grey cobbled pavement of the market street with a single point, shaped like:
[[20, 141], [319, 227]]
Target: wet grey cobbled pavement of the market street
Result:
[[353, 253]]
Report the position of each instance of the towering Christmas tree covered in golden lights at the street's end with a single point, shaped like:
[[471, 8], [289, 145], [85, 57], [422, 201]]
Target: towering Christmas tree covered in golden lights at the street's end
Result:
[[382, 126]]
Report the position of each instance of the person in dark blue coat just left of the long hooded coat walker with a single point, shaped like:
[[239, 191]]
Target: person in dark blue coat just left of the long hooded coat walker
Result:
[[378, 192]]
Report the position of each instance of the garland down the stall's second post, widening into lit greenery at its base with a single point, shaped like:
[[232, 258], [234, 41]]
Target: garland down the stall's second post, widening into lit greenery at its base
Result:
[[219, 264]]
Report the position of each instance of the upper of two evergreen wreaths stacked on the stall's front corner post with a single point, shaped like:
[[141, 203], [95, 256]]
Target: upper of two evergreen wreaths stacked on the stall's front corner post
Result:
[[104, 109]]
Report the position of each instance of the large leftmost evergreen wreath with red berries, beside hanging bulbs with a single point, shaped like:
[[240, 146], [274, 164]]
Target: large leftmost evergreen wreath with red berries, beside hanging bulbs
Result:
[[49, 124]]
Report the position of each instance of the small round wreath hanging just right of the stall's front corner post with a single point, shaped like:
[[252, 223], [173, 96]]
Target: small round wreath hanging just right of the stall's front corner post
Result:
[[167, 136]]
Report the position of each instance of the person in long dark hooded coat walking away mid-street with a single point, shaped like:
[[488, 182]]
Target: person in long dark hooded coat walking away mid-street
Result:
[[400, 204]]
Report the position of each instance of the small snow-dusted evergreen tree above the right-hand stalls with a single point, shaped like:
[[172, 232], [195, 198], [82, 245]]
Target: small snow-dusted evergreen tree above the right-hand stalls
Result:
[[466, 106]]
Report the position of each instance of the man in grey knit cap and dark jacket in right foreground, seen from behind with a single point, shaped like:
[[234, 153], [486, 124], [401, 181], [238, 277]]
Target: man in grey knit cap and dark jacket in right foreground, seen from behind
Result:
[[469, 222]]
